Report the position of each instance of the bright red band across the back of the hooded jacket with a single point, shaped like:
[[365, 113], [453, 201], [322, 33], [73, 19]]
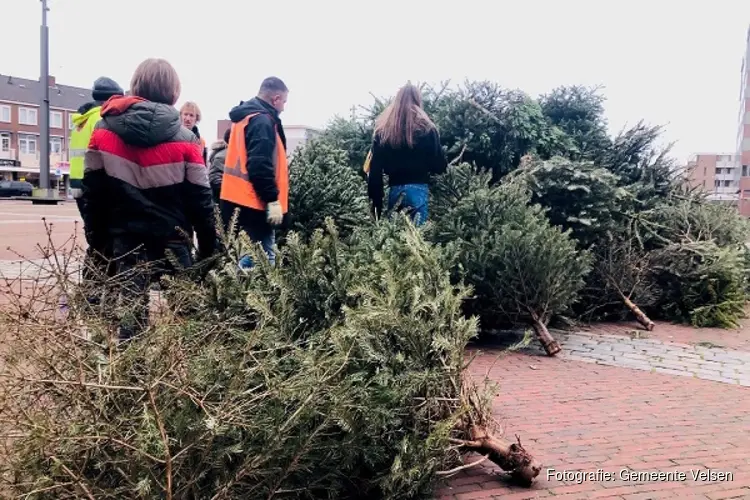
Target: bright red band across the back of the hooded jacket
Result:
[[161, 154]]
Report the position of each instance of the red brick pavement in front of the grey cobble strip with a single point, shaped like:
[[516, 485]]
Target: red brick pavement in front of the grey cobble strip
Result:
[[579, 416]]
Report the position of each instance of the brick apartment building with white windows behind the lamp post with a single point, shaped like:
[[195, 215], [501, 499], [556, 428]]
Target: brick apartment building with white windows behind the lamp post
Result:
[[20, 130]]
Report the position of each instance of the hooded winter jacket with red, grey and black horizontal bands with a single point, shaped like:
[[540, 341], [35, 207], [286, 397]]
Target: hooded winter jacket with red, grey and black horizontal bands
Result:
[[144, 177]]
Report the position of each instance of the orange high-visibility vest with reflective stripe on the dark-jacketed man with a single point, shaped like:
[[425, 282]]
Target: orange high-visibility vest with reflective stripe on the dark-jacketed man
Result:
[[235, 183]]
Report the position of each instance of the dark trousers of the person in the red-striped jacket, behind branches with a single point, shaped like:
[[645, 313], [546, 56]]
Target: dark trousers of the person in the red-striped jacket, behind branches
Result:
[[138, 265]]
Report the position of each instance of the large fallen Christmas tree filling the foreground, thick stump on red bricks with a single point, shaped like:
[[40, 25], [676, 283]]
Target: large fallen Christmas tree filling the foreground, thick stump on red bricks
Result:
[[339, 373]]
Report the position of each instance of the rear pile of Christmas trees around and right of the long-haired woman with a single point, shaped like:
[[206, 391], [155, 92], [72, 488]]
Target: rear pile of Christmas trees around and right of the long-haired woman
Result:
[[553, 218]]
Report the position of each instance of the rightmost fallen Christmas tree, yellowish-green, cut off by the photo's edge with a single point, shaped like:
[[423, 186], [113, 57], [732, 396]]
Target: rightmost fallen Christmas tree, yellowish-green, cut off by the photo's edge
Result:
[[698, 253]]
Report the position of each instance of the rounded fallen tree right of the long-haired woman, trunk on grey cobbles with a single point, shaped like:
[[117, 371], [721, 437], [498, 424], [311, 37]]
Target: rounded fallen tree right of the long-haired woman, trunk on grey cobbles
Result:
[[522, 269]]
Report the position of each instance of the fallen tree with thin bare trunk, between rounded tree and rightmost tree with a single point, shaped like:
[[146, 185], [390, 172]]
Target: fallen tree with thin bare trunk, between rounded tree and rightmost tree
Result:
[[587, 200]]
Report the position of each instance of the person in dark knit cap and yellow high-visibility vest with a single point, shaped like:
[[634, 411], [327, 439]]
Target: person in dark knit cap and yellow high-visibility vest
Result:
[[83, 126]]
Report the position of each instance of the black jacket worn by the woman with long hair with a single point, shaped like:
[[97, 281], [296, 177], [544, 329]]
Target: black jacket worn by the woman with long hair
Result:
[[404, 165]]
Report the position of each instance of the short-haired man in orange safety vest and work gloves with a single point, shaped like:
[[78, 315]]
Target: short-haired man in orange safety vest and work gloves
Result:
[[256, 174]]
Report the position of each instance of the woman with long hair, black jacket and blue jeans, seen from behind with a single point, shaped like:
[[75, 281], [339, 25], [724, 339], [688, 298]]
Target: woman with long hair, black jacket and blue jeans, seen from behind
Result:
[[406, 147]]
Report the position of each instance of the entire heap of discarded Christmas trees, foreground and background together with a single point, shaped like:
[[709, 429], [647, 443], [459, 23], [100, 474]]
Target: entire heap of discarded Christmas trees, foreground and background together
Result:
[[340, 372]]
